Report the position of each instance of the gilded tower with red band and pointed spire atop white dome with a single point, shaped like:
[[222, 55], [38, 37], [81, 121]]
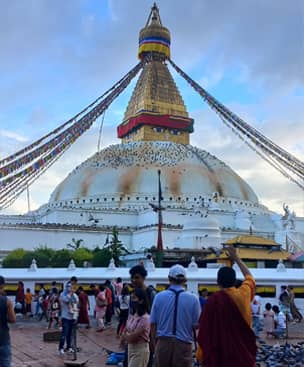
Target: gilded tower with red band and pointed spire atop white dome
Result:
[[156, 110]]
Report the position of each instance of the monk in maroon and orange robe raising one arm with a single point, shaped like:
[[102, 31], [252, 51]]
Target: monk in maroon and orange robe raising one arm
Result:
[[225, 336]]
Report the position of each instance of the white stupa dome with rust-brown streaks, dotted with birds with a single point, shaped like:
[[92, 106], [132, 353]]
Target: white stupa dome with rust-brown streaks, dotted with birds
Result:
[[128, 172]]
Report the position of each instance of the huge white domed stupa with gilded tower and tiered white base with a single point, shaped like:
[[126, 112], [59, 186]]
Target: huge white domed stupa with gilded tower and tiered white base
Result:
[[205, 202]]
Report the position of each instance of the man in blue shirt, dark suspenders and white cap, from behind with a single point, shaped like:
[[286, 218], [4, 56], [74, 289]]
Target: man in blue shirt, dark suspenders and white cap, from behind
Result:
[[174, 316]]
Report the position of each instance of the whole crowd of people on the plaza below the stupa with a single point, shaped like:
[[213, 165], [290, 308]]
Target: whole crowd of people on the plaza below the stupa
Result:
[[159, 329]]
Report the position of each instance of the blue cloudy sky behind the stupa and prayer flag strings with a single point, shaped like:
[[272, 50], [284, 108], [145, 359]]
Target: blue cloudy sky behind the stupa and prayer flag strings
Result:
[[57, 56]]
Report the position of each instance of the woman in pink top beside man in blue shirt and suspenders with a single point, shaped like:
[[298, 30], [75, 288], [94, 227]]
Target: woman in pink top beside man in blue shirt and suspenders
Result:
[[137, 330]]
